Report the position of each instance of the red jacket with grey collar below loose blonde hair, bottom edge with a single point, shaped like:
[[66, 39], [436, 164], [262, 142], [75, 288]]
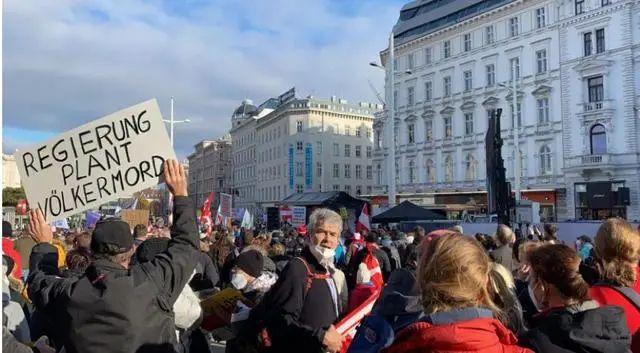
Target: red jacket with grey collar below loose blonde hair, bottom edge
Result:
[[483, 335]]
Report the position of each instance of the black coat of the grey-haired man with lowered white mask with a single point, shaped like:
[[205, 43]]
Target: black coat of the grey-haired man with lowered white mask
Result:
[[297, 322]]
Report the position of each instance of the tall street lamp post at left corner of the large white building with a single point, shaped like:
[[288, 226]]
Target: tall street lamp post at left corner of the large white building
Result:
[[390, 73]]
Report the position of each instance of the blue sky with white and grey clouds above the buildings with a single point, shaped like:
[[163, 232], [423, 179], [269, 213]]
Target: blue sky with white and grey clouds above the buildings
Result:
[[68, 62]]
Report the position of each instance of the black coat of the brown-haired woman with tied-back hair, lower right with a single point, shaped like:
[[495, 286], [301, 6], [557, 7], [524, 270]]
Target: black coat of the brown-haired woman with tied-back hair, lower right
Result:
[[602, 329]]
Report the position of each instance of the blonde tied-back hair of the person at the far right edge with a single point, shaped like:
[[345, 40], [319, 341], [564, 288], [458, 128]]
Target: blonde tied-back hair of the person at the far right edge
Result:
[[617, 248]]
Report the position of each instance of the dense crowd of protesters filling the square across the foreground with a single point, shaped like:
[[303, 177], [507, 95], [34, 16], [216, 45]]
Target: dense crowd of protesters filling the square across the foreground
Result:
[[113, 289]]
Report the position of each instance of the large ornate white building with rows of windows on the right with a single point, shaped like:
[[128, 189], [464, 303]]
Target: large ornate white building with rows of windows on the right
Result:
[[456, 62]]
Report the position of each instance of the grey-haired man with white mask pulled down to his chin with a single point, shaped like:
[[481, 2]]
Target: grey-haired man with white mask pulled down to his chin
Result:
[[299, 312]]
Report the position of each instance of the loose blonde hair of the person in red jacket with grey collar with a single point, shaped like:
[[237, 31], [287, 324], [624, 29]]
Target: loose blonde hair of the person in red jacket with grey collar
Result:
[[453, 274]]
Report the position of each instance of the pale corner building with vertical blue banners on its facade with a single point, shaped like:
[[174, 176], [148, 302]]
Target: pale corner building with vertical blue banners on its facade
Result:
[[305, 145]]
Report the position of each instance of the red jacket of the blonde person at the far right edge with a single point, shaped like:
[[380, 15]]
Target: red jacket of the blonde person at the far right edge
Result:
[[607, 296]]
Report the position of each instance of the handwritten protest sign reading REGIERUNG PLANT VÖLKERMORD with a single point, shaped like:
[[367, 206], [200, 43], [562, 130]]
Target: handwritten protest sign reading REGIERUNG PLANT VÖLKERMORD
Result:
[[109, 158]]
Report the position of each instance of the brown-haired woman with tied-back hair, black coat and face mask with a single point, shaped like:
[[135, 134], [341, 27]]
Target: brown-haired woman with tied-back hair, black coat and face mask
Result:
[[569, 321]]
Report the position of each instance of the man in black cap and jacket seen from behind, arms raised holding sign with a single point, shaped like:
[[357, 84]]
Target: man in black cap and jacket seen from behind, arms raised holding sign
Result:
[[115, 307]]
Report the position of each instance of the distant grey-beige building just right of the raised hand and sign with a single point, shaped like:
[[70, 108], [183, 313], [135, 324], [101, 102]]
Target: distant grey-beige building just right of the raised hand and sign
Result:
[[210, 170]]
